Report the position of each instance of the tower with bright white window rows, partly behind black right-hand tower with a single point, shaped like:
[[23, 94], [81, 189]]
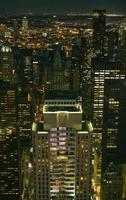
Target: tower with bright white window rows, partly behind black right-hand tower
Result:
[[102, 70]]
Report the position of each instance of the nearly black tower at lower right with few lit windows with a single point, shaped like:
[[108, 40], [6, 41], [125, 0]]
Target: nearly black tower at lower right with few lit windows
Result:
[[114, 139]]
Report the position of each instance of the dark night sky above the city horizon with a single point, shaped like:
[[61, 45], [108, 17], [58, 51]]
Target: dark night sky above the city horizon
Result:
[[60, 6]]
